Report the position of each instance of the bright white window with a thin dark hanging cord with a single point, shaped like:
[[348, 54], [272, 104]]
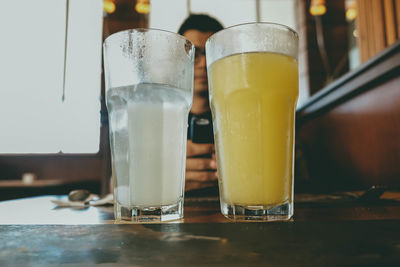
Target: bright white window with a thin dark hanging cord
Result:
[[39, 39]]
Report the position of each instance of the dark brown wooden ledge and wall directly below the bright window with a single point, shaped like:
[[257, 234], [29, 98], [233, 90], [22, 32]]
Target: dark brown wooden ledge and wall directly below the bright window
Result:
[[56, 174]]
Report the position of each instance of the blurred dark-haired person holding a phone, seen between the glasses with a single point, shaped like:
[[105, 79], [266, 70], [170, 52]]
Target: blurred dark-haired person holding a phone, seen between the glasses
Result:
[[201, 167]]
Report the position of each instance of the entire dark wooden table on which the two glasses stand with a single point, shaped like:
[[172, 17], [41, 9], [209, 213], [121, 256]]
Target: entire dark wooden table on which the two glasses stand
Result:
[[327, 230]]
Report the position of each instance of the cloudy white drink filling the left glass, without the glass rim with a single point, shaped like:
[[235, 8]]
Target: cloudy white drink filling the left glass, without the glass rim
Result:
[[148, 124]]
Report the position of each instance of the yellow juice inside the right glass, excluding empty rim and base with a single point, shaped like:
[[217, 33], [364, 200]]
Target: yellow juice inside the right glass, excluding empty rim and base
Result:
[[253, 98]]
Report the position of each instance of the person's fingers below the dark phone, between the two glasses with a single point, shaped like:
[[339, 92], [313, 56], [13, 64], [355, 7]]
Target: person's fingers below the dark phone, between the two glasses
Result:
[[201, 166]]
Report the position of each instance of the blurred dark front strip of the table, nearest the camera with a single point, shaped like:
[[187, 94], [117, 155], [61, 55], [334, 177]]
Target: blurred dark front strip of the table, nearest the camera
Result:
[[373, 243]]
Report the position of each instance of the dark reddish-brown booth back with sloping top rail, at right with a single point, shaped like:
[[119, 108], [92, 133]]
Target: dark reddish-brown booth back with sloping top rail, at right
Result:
[[350, 132]]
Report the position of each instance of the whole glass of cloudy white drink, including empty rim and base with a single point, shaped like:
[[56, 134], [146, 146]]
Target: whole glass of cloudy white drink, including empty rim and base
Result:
[[149, 92]]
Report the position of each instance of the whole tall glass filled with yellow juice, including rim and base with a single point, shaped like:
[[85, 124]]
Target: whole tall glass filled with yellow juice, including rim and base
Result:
[[253, 82]]
